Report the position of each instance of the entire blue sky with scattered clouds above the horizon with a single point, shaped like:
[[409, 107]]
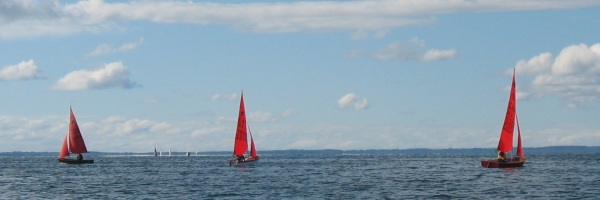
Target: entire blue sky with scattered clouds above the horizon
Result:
[[315, 74]]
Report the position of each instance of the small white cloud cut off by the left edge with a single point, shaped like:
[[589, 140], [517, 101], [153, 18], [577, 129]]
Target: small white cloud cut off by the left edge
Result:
[[25, 70]]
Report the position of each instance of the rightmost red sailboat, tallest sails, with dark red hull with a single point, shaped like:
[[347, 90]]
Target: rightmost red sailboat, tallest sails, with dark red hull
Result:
[[505, 144]]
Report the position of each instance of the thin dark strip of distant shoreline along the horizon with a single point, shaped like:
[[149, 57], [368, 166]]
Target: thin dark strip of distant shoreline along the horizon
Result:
[[467, 151]]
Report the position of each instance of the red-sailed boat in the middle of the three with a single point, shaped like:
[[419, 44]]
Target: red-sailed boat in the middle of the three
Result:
[[240, 146]]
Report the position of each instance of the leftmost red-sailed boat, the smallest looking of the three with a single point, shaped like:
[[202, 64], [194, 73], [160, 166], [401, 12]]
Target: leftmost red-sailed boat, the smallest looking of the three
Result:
[[73, 144]]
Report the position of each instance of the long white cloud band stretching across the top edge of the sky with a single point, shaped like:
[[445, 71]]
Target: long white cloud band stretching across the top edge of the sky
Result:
[[30, 18]]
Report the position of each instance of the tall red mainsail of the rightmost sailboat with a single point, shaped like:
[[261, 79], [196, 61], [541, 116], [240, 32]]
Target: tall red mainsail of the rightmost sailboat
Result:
[[506, 137]]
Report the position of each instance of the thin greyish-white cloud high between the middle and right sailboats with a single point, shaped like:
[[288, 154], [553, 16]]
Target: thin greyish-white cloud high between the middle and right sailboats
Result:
[[412, 50]]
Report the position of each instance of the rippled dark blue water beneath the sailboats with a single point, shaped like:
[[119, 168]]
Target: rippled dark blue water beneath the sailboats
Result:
[[392, 176]]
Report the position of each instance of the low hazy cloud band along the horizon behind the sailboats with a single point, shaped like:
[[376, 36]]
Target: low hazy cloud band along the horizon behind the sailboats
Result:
[[123, 134]]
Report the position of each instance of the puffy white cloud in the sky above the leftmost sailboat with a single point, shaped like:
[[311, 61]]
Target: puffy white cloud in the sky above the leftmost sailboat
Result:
[[112, 75]]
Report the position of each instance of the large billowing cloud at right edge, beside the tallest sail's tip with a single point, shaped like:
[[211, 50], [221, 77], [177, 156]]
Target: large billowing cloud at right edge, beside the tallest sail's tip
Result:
[[573, 75]]
